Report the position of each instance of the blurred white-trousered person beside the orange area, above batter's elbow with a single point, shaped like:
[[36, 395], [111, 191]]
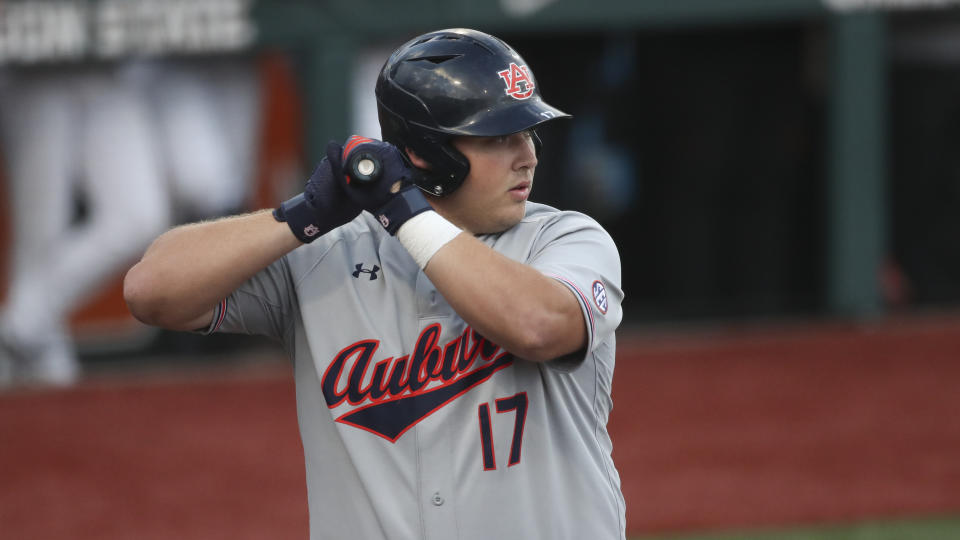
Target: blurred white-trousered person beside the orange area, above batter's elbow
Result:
[[207, 119]]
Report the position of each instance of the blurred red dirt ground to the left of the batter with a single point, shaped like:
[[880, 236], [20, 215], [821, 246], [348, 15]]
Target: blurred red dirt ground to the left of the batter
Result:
[[156, 459]]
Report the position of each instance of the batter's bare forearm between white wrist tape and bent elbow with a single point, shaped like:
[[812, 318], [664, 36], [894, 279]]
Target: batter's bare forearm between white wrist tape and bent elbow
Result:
[[514, 305]]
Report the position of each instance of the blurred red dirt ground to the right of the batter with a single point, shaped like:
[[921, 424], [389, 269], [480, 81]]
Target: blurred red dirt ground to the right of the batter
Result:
[[803, 425]]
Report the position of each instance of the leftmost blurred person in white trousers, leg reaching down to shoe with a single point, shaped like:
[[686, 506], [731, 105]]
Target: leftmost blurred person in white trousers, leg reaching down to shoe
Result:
[[68, 131]]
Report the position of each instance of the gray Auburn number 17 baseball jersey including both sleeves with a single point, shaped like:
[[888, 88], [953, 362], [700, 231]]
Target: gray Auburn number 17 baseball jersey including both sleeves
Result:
[[414, 425]]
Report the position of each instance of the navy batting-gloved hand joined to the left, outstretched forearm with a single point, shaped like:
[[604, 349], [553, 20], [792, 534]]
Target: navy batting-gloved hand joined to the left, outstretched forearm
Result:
[[322, 207]]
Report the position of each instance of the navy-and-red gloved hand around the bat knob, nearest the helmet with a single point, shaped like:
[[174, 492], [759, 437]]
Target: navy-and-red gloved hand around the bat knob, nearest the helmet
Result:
[[389, 193]]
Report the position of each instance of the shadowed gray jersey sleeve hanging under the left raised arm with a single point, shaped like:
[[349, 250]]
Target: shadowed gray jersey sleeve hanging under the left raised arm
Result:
[[263, 305]]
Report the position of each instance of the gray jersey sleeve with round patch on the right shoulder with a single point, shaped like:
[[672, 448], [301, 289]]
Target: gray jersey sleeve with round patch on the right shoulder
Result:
[[576, 251]]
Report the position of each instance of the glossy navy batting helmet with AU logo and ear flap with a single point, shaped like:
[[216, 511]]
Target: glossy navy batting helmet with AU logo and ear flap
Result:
[[451, 83]]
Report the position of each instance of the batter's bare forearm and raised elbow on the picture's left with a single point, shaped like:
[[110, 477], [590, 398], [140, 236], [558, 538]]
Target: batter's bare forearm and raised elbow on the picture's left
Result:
[[189, 269]]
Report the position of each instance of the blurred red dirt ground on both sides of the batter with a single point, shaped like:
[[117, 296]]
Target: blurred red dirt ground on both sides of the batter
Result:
[[711, 430]]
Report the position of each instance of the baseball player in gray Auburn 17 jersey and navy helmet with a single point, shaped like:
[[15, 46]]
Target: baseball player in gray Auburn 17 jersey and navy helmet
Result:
[[453, 343]]
